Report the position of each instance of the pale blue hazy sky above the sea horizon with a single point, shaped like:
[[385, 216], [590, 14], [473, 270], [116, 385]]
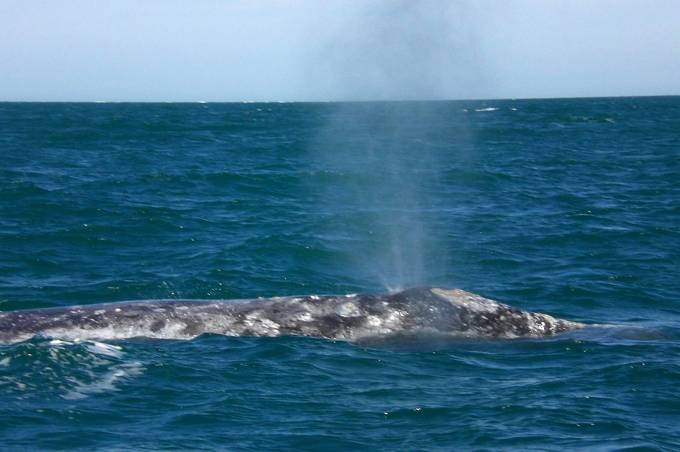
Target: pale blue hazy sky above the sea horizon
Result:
[[329, 50]]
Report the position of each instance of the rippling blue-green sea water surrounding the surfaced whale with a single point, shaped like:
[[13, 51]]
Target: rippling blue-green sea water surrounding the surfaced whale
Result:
[[570, 207]]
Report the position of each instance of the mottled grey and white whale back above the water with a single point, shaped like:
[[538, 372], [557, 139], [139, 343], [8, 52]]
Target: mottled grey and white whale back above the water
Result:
[[346, 317]]
